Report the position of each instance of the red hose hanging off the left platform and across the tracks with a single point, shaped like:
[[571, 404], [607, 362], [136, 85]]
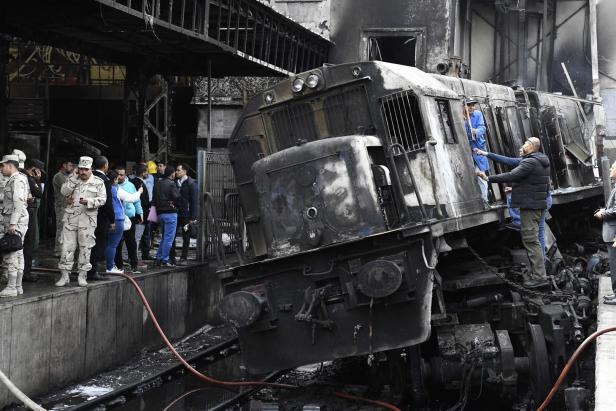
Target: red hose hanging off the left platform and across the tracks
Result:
[[214, 381]]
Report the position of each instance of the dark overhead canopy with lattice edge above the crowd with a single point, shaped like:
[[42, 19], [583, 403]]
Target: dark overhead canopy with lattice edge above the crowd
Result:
[[240, 37]]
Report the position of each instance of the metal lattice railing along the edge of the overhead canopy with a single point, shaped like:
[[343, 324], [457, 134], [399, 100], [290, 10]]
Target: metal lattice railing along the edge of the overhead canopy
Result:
[[244, 26]]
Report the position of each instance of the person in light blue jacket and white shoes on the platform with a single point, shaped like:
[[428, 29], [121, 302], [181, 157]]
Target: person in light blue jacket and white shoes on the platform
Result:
[[134, 212]]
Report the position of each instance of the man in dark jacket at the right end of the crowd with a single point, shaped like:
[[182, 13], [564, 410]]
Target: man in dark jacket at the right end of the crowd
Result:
[[188, 213]]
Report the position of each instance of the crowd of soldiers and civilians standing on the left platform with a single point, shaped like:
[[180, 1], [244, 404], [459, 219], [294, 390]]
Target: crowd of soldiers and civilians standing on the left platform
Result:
[[98, 211]]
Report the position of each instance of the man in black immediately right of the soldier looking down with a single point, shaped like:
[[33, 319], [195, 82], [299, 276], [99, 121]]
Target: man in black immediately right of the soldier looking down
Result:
[[105, 217]]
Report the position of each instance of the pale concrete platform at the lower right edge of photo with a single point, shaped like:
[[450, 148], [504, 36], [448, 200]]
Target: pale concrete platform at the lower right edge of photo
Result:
[[605, 357]]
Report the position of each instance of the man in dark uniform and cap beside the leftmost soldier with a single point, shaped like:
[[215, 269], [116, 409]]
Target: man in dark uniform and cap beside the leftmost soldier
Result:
[[34, 171]]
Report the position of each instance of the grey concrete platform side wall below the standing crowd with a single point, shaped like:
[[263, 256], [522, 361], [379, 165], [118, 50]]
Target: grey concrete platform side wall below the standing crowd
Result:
[[51, 336]]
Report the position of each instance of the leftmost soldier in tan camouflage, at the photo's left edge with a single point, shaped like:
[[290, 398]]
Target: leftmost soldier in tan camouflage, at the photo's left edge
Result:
[[14, 221]]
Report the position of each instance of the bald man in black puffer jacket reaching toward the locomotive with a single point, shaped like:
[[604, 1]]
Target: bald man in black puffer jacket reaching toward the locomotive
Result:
[[530, 182]]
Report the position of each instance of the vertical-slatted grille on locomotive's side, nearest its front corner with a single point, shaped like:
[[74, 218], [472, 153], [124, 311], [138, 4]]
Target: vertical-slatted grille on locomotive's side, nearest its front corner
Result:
[[402, 118]]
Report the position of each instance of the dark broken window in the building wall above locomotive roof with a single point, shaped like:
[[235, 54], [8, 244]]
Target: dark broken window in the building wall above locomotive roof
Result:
[[393, 49]]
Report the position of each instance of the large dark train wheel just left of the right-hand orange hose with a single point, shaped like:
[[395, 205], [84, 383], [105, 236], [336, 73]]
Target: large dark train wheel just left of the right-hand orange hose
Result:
[[539, 368]]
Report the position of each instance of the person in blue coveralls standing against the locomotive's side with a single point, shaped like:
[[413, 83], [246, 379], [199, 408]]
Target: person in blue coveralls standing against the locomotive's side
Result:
[[475, 131]]
